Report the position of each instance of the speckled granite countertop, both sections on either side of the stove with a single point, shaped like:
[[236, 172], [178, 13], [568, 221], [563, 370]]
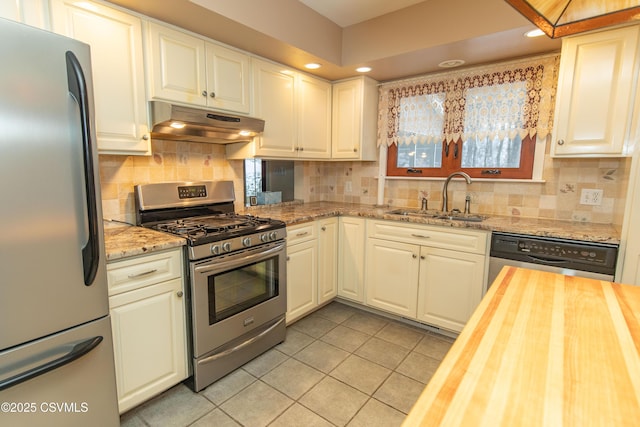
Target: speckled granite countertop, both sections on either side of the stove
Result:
[[124, 240]]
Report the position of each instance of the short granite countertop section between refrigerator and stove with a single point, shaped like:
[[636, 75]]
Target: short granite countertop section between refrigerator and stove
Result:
[[124, 240]]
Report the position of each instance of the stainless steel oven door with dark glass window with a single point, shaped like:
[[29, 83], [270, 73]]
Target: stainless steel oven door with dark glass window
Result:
[[234, 294]]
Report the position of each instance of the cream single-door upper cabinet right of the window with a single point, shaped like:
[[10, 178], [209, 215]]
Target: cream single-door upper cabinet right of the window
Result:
[[594, 102]]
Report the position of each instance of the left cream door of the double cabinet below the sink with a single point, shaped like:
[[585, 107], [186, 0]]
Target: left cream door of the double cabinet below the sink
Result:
[[391, 277]]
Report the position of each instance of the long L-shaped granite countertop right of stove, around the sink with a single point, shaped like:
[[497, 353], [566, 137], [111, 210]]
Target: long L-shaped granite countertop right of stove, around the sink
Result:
[[294, 213]]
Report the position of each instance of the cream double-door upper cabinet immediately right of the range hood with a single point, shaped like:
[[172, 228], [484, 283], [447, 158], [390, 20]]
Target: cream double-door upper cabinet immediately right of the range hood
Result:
[[296, 109]]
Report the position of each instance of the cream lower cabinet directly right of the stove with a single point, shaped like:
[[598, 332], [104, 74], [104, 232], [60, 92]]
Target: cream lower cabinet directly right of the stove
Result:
[[311, 266]]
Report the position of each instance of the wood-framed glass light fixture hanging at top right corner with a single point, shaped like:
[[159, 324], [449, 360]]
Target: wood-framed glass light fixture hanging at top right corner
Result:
[[564, 18]]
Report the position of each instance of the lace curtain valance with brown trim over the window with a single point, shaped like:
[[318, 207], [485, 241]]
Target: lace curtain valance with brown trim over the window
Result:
[[491, 102]]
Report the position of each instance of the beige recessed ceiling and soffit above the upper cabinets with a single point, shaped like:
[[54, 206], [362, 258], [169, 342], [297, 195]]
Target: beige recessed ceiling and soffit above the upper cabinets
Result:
[[398, 39]]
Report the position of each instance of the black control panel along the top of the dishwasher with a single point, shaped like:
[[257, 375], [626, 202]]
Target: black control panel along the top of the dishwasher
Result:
[[579, 254]]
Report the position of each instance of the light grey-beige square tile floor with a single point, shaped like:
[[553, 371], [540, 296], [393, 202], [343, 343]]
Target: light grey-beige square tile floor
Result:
[[339, 366]]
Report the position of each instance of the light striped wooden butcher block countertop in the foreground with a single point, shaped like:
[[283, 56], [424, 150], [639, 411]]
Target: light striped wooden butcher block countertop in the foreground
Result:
[[542, 349]]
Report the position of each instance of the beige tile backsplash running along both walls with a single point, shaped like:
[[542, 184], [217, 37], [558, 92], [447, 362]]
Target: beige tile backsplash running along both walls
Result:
[[356, 182]]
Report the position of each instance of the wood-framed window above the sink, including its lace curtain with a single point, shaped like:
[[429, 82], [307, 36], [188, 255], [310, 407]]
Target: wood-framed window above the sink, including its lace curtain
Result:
[[483, 122]]
